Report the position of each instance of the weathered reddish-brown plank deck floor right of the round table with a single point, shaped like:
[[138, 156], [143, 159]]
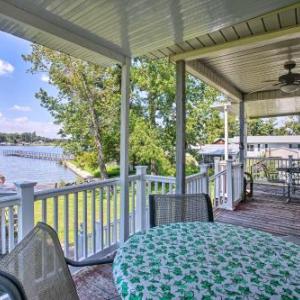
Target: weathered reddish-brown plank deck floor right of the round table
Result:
[[267, 211]]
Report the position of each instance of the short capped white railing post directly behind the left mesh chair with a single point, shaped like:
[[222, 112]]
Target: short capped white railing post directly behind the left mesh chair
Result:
[[26, 192]]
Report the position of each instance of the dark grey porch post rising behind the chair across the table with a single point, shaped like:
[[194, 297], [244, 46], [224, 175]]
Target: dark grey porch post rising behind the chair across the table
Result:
[[180, 127]]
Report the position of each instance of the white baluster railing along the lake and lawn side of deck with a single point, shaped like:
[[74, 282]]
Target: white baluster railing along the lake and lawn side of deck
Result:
[[87, 216]]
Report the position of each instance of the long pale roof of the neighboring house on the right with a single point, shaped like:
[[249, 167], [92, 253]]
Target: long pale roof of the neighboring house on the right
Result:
[[265, 139]]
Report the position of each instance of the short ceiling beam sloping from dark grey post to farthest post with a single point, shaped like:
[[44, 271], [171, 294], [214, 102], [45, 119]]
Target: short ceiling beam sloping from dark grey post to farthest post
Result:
[[203, 72]]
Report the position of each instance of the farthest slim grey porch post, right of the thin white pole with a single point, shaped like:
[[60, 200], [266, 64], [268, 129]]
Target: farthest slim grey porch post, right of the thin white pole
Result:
[[243, 143]]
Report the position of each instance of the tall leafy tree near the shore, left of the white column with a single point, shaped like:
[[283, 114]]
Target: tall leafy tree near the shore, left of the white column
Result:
[[87, 104]]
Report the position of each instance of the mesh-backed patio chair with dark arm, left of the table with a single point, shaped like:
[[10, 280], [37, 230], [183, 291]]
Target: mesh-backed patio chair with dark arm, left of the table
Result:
[[37, 268]]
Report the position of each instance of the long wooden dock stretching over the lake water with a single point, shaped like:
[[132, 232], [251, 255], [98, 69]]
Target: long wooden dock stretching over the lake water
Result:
[[38, 155]]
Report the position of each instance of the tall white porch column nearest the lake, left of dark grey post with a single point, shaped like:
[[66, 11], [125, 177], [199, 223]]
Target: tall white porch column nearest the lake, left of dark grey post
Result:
[[124, 194]]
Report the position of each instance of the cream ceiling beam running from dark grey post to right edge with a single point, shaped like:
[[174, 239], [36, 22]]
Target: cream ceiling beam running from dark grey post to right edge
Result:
[[240, 45]]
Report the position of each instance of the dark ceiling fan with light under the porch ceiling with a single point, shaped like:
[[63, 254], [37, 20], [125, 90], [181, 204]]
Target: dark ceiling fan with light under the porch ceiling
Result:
[[288, 83]]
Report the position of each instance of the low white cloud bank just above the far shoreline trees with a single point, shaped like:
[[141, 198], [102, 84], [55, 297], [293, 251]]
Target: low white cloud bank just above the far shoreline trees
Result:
[[24, 124]]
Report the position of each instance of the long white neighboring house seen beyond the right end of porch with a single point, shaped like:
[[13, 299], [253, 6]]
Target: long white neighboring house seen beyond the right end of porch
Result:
[[271, 146]]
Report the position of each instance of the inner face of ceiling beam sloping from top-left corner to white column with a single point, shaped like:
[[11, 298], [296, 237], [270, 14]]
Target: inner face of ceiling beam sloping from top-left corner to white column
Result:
[[48, 23]]
